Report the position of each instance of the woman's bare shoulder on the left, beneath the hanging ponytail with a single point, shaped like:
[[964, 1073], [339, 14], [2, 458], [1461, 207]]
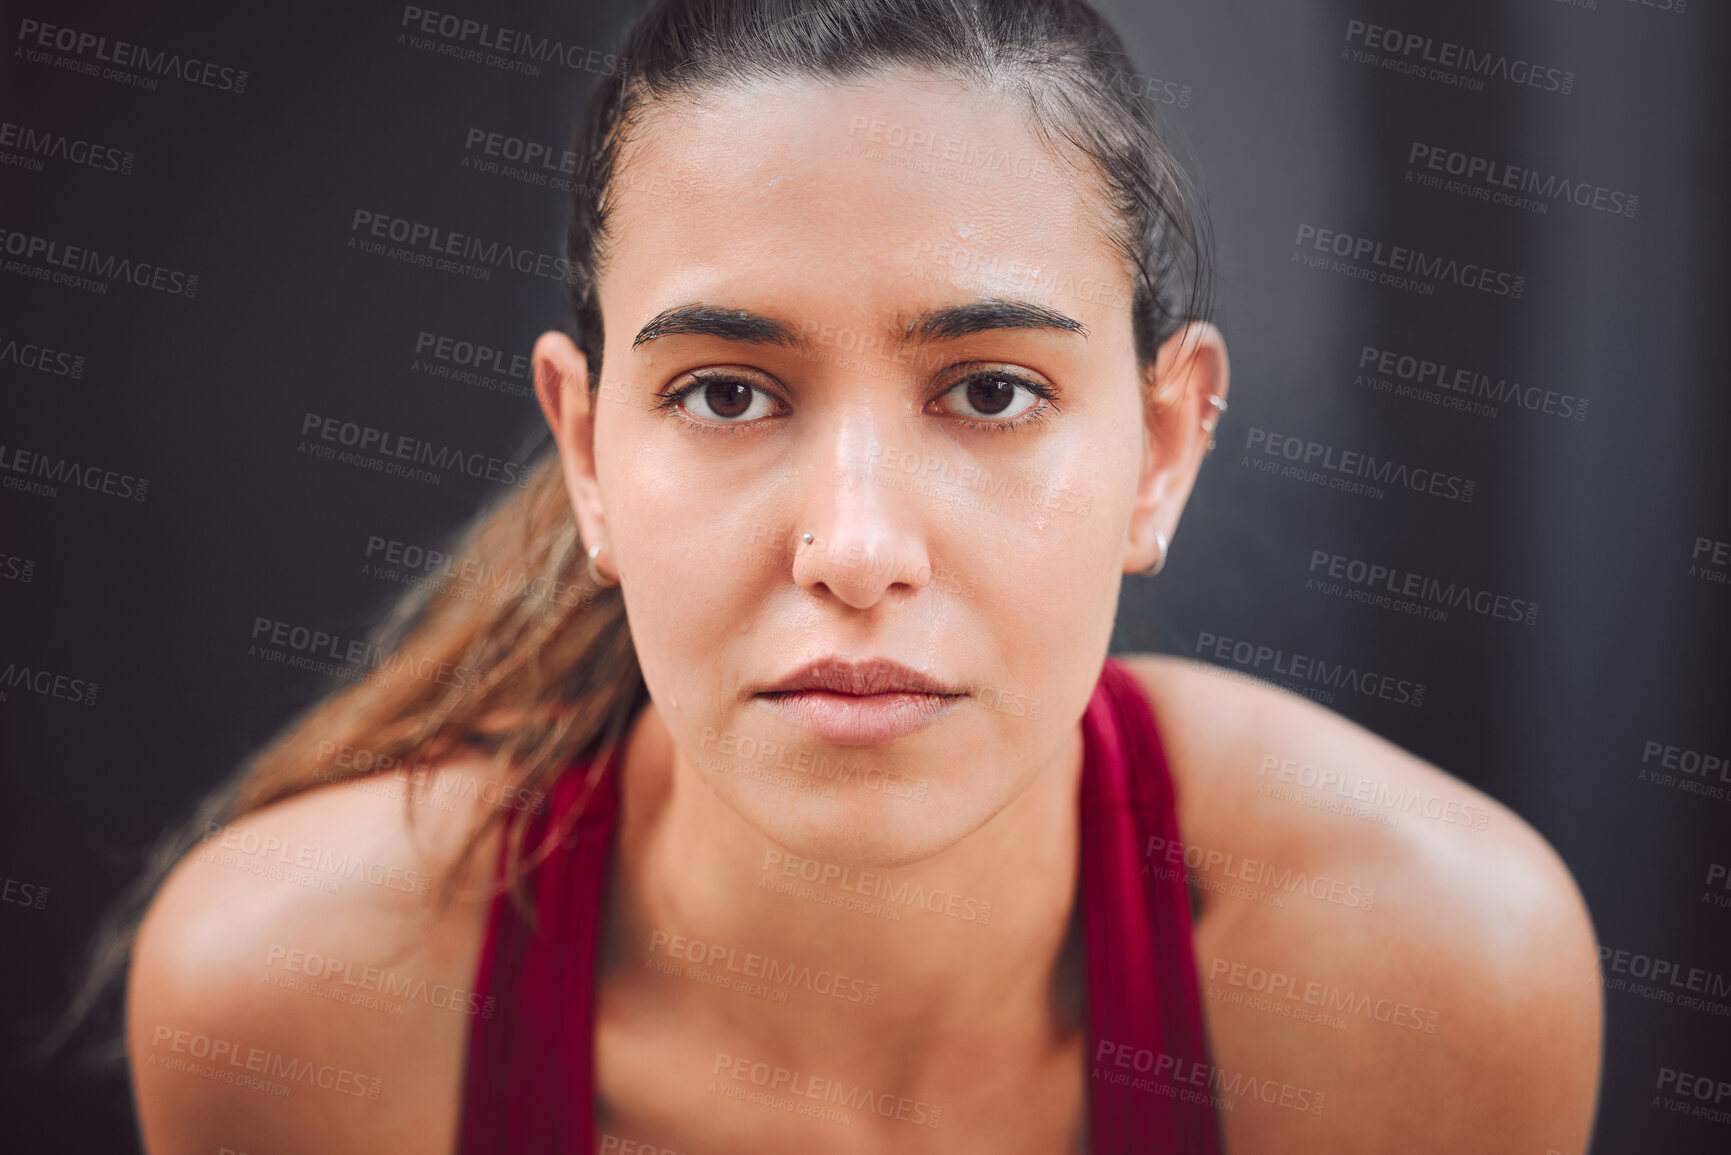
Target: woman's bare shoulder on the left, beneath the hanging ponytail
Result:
[[299, 986]]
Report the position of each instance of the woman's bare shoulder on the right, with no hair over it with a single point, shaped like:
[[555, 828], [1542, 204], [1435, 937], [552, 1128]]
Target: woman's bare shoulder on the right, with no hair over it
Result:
[[1375, 932]]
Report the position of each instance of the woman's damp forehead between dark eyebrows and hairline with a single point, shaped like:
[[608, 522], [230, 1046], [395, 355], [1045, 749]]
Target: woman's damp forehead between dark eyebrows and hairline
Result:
[[873, 195]]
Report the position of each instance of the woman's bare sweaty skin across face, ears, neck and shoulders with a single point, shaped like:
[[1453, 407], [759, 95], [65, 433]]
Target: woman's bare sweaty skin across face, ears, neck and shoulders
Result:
[[1429, 983]]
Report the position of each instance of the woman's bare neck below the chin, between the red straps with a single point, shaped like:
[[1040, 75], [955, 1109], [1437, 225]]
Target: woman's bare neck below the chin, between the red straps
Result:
[[972, 936]]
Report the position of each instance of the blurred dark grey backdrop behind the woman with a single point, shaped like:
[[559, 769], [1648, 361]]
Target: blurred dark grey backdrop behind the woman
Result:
[[254, 193]]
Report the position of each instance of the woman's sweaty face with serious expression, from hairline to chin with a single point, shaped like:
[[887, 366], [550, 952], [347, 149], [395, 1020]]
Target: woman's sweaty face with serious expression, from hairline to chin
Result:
[[918, 351]]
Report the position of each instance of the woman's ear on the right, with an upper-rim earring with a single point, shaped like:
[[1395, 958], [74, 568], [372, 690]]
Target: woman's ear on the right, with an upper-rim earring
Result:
[[1178, 423]]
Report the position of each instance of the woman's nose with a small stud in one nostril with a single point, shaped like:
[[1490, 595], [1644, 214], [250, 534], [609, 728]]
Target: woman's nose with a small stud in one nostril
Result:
[[868, 539]]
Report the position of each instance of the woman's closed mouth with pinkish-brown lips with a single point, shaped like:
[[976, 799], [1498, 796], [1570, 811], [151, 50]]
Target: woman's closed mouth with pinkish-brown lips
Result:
[[861, 704]]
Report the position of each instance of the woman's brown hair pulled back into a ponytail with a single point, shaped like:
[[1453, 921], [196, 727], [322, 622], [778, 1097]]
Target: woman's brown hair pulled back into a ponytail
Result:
[[546, 683]]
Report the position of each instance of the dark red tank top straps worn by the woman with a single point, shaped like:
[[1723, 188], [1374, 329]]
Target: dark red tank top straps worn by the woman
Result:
[[529, 1087]]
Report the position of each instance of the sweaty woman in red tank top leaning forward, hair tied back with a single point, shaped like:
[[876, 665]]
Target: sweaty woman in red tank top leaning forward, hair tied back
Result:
[[816, 815]]
